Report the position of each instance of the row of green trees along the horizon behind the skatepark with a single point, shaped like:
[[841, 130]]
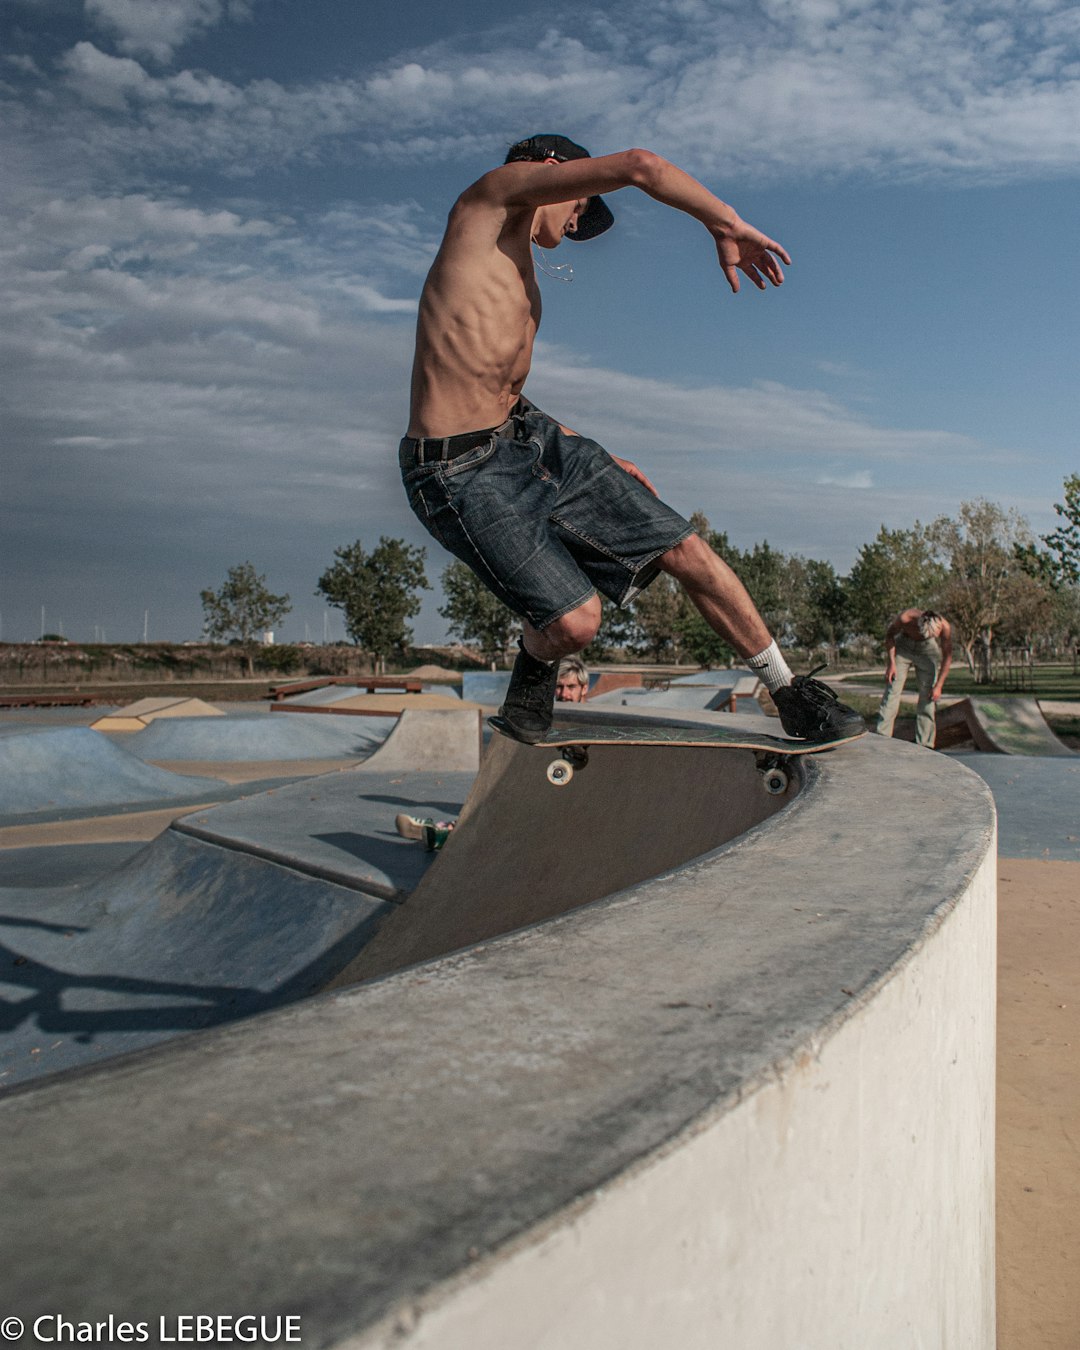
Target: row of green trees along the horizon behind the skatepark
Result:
[[983, 569]]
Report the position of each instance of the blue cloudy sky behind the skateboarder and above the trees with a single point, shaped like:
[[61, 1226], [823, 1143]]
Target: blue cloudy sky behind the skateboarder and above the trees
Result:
[[217, 219]]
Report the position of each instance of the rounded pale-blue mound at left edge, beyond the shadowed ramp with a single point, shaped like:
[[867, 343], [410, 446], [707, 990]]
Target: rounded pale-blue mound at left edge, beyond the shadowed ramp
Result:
[[75, 769]]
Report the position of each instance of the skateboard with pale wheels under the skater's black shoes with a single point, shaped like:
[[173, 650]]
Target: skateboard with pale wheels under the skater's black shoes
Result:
[[773, 753]]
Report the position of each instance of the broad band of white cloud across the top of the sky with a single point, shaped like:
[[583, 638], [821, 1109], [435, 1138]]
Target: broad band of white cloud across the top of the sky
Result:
[[778, 90]]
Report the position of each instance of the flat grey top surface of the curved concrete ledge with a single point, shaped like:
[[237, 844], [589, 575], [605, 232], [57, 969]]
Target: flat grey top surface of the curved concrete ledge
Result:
[[362, 1158]]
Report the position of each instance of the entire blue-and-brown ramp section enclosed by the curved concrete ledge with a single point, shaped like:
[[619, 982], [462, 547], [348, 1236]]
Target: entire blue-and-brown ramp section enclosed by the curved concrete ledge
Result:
[[257, 902]]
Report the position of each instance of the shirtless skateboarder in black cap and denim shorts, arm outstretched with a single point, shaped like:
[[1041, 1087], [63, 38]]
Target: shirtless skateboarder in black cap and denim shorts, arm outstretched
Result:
[[543, 516]]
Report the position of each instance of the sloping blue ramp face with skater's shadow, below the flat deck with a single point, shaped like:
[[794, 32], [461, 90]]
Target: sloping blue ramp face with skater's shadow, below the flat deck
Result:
[[184, 938]]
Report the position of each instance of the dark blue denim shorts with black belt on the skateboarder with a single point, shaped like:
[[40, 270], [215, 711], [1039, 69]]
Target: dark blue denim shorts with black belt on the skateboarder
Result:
[[543, 519]]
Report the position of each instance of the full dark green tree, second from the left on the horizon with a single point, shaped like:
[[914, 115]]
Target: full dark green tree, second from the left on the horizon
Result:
[[377, 592]]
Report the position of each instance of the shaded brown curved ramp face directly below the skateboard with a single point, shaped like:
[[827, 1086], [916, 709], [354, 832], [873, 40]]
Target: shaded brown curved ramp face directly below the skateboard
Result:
[[635, 812]]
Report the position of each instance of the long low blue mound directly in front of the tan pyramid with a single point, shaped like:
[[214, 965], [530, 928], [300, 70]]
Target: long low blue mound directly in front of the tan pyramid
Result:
[[260, 738]]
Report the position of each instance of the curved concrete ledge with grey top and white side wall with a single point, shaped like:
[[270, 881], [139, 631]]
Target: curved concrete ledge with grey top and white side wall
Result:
[[749, 1104]]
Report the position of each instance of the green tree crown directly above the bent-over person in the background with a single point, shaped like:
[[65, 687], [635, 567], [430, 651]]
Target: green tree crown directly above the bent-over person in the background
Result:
[[898, 570]]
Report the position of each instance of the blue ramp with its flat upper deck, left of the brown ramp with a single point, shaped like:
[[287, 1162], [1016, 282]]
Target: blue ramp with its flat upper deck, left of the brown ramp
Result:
[[232, 912]]
